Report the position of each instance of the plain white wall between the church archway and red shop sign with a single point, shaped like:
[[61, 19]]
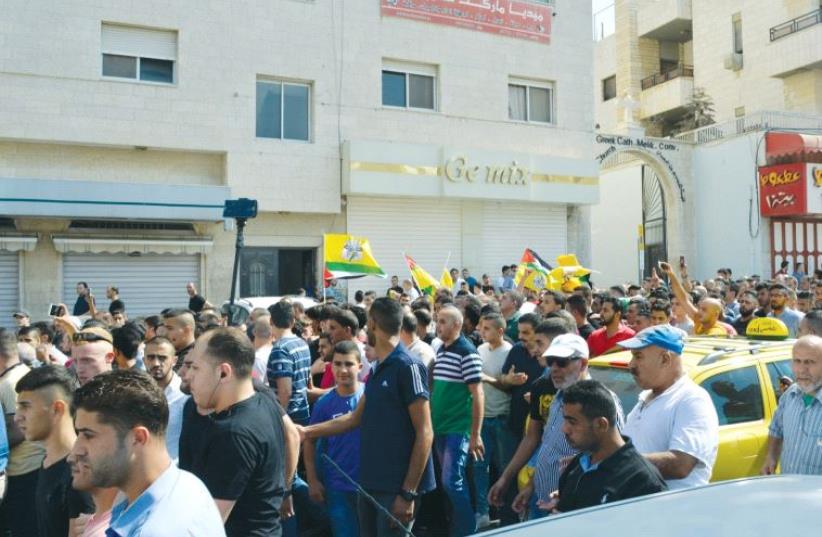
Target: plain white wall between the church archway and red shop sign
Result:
[[724, 187]]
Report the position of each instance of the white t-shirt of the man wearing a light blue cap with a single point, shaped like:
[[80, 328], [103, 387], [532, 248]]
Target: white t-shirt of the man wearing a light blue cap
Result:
[[682, 418]]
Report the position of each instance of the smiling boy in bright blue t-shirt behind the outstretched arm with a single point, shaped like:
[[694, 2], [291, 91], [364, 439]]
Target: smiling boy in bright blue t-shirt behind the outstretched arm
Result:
[[328, 485]]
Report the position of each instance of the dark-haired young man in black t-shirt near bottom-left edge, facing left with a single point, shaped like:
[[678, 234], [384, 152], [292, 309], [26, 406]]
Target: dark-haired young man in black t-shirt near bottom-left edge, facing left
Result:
[[44, 415]]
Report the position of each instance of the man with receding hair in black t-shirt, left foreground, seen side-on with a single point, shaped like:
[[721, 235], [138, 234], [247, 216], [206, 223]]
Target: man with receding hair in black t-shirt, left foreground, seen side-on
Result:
[[241, 451]]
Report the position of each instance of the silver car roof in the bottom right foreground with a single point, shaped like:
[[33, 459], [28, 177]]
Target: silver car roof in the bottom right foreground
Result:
[[752, 506]]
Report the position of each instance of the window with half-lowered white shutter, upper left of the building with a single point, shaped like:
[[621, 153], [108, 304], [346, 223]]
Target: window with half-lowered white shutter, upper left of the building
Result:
[[139, 53]]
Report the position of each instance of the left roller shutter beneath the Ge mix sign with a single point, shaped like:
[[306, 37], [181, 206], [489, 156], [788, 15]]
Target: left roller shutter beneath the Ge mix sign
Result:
[[427, 230]]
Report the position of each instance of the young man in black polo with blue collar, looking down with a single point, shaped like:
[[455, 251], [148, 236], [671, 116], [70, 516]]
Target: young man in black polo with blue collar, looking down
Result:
[[608, 468]]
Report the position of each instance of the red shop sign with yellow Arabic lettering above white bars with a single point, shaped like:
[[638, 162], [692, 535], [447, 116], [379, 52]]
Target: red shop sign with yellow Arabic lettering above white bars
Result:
[[783, 190]]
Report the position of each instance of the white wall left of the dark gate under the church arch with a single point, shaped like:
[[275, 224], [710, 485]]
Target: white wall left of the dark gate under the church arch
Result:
[[614, 223]]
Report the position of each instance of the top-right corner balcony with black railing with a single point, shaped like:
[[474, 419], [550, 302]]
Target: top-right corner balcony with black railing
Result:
[[795, 45]]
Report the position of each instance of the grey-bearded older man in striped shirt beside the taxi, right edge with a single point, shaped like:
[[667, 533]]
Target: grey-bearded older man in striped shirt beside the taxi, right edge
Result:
[[795, 435]]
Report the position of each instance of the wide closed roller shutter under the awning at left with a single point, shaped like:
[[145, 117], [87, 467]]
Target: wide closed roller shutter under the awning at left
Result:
[[148, 283]]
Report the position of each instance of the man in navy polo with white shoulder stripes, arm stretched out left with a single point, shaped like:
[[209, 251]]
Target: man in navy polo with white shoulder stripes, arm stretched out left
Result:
[[395, 428]]
